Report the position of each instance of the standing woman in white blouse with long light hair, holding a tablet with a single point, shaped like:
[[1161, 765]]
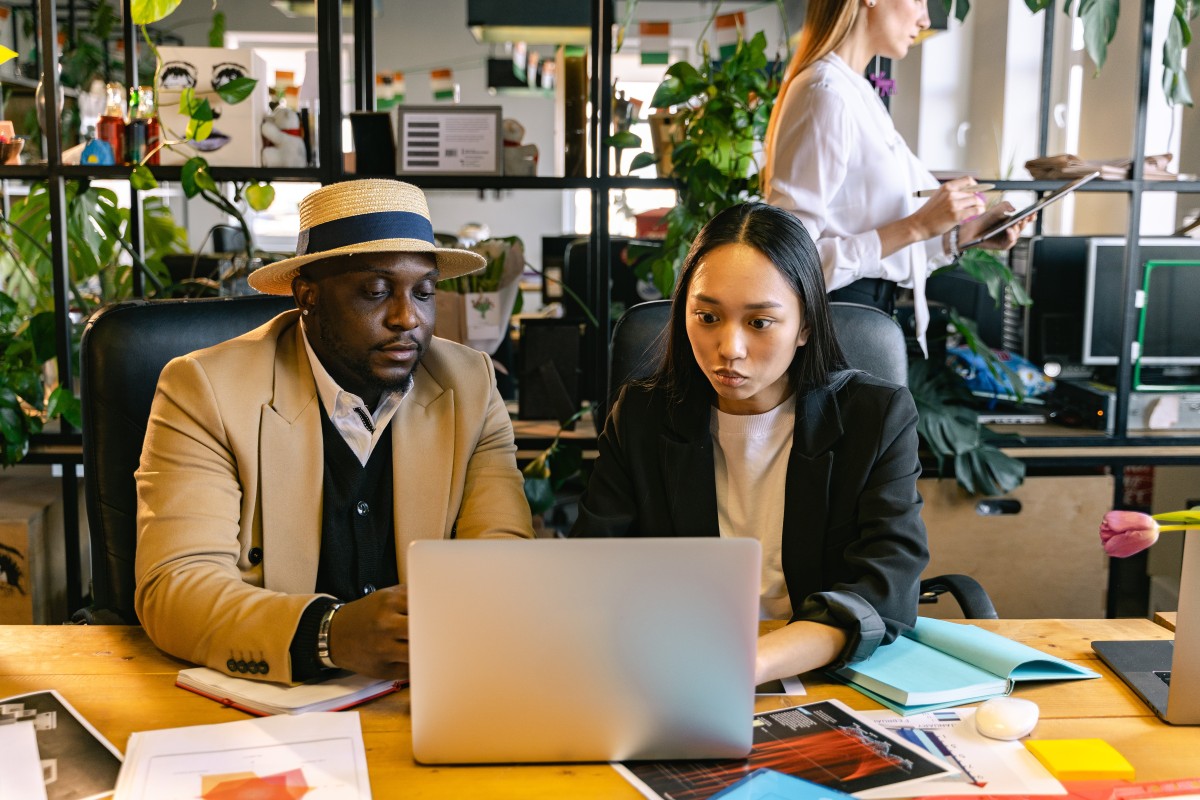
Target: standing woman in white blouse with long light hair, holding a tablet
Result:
[[835, 159]]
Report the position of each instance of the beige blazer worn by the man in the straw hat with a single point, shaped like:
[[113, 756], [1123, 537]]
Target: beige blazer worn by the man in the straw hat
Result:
[[233, 461]]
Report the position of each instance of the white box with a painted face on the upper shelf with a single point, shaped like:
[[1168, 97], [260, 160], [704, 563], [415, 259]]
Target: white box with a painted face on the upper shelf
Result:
[[237, 136]]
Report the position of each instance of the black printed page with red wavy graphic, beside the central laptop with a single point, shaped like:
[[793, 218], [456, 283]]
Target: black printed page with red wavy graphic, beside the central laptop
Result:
[[825, 743]]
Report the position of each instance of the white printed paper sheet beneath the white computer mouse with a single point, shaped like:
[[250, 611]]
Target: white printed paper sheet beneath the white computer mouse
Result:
[[988, 766]]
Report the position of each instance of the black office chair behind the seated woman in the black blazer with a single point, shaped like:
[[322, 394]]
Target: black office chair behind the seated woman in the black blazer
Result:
[[871, 340]]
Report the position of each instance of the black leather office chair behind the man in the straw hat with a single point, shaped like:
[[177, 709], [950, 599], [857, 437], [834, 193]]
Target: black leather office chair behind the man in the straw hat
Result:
[[125, 347]]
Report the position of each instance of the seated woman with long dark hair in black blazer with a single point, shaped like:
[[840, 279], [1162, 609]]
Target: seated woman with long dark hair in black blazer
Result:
[[754, 428]]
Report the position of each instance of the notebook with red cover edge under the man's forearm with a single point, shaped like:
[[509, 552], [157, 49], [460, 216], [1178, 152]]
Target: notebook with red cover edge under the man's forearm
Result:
[[339, 691]]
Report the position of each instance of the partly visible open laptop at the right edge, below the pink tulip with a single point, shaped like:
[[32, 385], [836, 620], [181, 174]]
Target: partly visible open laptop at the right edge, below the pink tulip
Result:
[[1167, 675]]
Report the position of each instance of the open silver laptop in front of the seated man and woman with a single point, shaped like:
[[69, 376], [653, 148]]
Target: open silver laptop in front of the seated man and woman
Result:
[[583, 651]]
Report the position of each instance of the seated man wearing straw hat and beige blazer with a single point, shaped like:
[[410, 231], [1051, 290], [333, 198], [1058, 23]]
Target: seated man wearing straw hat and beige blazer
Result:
[[286, 472]]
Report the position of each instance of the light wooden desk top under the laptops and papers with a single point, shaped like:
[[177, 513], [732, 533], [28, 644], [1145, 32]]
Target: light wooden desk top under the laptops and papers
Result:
[[122, 683]]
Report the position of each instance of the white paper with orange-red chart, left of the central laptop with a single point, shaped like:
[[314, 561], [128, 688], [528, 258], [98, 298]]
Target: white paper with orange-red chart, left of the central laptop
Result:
[[322, 753]]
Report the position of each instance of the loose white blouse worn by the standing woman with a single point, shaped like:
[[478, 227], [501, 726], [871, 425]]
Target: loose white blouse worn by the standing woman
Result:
[[841, 166]]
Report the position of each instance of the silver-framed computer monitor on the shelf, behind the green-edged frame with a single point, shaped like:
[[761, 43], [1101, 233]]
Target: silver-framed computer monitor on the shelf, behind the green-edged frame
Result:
[[1172, 339]]
